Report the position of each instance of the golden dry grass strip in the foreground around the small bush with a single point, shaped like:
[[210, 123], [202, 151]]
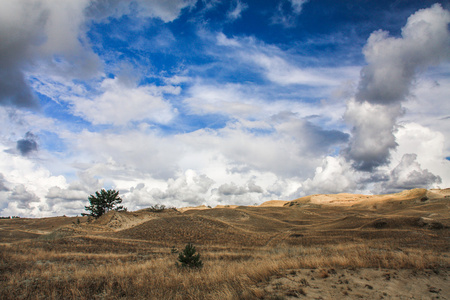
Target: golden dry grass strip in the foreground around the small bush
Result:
[[111, 269]]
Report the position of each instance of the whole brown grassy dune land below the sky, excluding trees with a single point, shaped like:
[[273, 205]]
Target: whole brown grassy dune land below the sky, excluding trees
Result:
[[317, 247]]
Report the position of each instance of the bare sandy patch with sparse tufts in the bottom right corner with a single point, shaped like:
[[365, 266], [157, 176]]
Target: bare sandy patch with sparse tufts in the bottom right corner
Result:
[[359, 284]]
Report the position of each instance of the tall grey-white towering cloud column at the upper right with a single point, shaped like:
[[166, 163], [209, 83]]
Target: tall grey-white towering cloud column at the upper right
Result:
[[386, 81]]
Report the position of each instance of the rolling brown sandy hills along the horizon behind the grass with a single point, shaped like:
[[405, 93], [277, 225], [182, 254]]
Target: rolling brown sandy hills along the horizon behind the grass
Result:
[[313, 219]]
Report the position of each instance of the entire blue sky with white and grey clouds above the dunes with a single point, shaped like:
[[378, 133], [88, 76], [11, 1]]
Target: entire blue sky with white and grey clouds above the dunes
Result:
[[186, 103]]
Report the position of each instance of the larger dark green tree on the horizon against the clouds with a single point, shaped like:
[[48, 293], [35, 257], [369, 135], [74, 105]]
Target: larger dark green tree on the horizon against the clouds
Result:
[[102, 202]]
